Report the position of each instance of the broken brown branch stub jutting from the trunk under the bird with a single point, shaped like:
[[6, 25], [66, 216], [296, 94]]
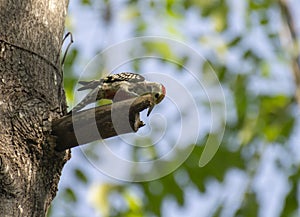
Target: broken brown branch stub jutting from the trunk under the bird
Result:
[[100, 123]]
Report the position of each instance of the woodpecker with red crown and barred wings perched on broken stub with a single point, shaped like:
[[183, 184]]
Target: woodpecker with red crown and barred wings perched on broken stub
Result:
[[118, 87]]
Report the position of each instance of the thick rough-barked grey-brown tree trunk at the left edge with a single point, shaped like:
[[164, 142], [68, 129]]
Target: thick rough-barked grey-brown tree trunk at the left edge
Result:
[[31, 96]]
